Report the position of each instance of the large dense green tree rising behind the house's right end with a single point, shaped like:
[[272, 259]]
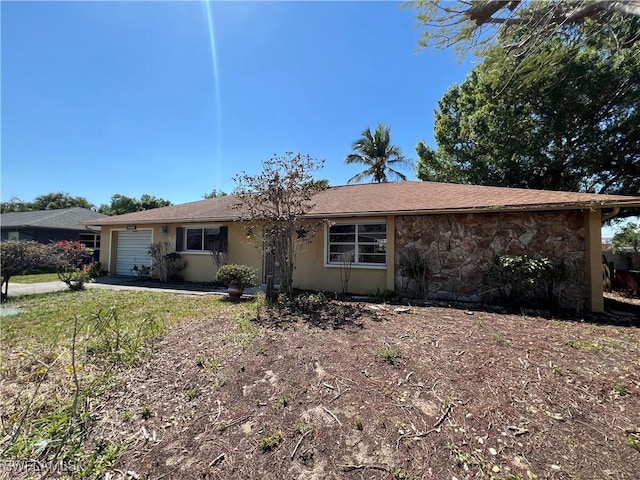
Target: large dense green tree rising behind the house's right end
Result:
[[578, 130]]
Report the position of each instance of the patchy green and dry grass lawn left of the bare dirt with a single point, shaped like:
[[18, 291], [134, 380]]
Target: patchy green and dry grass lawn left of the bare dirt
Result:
[[64, 350]]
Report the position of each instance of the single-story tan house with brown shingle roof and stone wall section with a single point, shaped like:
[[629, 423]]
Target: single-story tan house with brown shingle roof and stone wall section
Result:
[[459, 229]]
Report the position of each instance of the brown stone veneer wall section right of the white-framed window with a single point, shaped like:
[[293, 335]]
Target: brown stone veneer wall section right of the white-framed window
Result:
[[460, 249]]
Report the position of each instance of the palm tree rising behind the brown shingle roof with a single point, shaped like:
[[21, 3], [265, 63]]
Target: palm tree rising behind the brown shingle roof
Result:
[[374, 150]]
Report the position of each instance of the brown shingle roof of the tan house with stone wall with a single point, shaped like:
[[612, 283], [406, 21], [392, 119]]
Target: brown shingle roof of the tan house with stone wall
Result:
[[392, 198]]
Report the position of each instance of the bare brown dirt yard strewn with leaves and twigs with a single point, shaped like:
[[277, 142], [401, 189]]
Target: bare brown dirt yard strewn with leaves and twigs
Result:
[[361, 391]]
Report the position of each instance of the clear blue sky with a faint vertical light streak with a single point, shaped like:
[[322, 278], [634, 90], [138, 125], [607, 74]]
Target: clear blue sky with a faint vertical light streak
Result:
[[143, 97]]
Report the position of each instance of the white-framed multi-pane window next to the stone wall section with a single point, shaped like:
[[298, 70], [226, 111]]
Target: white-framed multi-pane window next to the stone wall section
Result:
[[357, 243]]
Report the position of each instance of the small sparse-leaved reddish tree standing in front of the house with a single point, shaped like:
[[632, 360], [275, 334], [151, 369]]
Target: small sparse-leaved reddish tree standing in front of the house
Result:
[[278, 199]]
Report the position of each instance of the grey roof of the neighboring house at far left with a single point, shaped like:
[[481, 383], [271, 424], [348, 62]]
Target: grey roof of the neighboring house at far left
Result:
[[63, 219]]
